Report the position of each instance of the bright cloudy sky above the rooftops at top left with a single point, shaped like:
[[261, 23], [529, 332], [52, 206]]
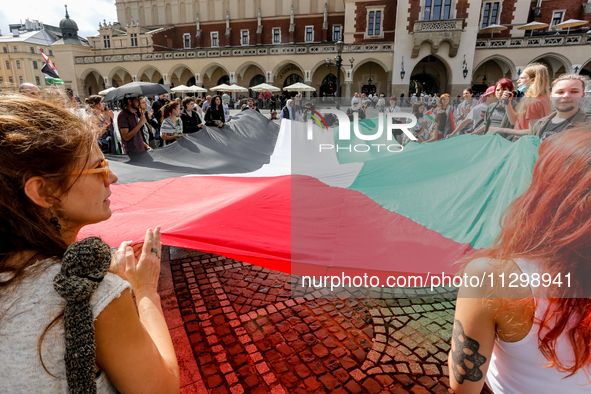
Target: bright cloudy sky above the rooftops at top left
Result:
[[87, 14]]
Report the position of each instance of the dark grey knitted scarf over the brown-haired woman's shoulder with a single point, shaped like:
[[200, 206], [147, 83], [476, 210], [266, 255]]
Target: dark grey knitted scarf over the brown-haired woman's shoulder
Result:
[[84, 266]]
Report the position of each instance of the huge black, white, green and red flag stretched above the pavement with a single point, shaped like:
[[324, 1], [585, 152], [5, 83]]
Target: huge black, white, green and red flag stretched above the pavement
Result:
[[261, 192]]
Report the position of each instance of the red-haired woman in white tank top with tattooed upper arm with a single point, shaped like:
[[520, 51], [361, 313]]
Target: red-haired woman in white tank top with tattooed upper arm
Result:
[[528, 334]]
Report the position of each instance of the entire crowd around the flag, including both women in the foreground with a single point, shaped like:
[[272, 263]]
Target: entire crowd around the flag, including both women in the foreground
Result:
[[55, 180]]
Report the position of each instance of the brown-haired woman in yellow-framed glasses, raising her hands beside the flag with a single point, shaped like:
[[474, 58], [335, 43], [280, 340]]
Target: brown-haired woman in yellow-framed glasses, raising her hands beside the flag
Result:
[[55, 180]]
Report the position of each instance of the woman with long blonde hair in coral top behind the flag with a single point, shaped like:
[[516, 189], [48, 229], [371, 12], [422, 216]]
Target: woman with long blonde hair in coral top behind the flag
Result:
[[534, 82]]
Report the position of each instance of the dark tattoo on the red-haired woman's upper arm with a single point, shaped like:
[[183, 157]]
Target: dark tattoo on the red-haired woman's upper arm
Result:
[[466, 349]]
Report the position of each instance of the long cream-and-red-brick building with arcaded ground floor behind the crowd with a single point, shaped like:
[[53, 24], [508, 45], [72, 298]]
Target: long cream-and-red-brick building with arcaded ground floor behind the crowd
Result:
[[395, 46]]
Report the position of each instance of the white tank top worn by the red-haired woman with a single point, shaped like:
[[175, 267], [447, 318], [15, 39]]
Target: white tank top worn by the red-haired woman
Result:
[[519, 367]]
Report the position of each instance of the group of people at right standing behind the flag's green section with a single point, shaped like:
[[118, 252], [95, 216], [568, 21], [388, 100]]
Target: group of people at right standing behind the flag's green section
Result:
[[500, 111]]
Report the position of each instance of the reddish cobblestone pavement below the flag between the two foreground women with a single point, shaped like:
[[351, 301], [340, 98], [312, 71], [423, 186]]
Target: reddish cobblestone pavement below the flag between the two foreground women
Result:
[[248, 335]]
